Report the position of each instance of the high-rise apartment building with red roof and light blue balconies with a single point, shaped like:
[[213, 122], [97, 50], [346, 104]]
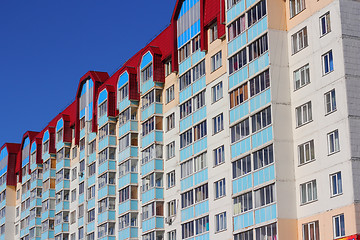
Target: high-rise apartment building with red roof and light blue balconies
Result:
[[239, 121]]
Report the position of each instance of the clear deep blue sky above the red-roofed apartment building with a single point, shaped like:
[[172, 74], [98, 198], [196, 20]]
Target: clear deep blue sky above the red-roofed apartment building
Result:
[[46, 46]]
